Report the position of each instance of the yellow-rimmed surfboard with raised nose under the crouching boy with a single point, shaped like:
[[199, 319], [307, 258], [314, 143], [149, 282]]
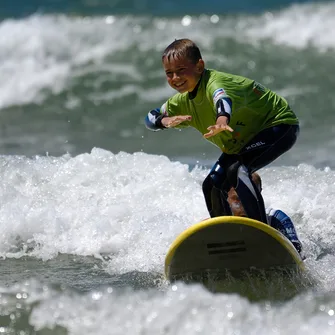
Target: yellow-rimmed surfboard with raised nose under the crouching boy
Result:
[[229, 244]]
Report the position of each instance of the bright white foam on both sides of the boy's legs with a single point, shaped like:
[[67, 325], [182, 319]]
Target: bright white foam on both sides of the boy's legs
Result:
[[132, 206]]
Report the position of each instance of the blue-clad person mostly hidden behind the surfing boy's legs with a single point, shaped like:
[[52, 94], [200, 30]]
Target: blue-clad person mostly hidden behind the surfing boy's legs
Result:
[[275, 218]]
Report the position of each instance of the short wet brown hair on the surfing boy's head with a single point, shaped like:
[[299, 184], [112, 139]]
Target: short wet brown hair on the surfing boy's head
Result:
[[182, 48]]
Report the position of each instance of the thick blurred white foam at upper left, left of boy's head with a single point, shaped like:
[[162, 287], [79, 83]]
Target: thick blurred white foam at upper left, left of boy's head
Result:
[[40, 55]]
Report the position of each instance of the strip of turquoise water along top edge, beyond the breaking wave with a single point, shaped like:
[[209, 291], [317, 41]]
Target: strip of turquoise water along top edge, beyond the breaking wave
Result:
[[143, 7]]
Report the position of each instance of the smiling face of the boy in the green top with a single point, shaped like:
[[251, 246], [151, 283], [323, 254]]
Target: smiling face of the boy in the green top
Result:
[[182, 74]]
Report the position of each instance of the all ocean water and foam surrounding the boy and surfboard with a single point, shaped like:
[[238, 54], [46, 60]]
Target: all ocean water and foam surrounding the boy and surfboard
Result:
[[90, 200]]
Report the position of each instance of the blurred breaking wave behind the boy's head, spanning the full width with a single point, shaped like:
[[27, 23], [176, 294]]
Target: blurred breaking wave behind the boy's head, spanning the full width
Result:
[[43, 55]]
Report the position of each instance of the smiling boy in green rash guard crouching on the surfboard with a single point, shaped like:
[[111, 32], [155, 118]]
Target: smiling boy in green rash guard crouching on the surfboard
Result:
[[250, 124]]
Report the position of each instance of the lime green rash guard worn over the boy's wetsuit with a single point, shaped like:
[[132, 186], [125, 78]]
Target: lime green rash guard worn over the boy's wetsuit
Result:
[[254, 108]]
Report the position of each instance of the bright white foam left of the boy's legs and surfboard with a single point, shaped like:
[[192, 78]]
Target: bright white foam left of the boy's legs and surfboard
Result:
[[125, 205]]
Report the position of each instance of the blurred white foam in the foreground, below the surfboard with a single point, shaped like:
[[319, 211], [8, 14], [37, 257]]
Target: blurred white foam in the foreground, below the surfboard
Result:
[[180, 309]]
